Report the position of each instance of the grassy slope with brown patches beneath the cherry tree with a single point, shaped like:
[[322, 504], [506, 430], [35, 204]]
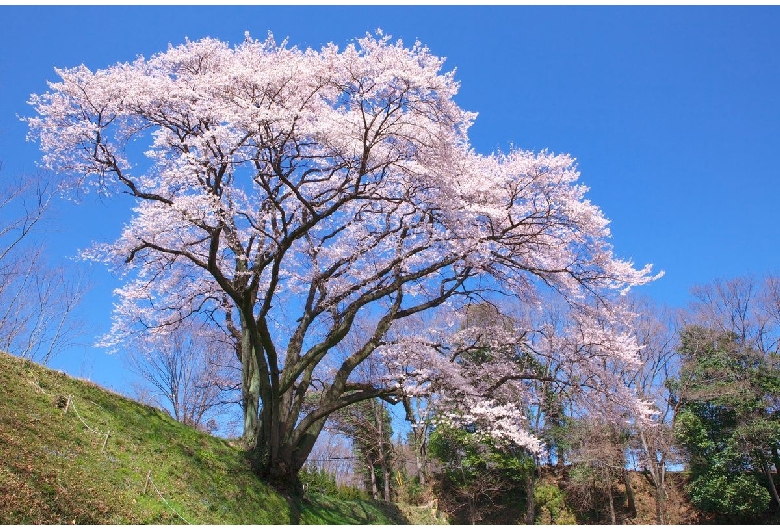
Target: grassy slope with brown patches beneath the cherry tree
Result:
[[53, 468]]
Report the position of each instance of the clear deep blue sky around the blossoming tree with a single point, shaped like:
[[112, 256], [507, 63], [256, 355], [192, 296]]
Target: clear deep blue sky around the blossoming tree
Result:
[[673, 113]]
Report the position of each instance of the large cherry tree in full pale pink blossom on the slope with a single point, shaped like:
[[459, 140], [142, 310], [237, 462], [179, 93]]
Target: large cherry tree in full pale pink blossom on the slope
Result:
[[300, 192]]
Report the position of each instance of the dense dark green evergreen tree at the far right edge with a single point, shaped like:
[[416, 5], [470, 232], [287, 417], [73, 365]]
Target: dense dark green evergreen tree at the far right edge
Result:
[[728, 421]]
